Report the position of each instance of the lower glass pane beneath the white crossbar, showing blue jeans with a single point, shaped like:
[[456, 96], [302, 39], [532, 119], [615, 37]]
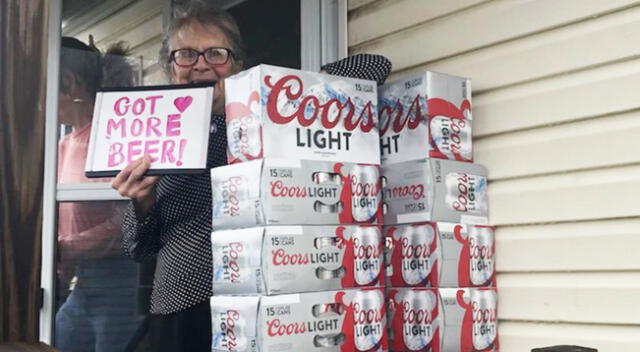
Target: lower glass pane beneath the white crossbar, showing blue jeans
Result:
[[102, 295]]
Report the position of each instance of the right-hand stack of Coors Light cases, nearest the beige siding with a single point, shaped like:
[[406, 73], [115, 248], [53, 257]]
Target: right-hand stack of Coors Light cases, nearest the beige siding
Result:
[[439, 249]]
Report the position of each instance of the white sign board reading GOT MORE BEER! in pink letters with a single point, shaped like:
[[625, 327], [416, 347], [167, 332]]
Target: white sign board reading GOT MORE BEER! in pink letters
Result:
[[170, 124]]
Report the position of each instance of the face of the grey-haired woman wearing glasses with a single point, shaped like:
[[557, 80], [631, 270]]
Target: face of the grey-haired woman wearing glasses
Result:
[[199, 37]]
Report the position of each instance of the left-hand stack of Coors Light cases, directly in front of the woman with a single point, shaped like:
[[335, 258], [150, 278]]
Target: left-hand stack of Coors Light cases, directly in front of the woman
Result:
[[297, 240]]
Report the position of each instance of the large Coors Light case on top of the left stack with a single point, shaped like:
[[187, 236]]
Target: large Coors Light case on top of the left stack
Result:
[[276, 112]]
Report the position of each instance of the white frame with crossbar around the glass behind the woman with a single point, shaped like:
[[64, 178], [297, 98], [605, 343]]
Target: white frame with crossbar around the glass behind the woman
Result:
[[323, 40]]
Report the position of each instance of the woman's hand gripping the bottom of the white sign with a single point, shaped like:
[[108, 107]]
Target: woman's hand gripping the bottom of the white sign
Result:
[[132, 183]]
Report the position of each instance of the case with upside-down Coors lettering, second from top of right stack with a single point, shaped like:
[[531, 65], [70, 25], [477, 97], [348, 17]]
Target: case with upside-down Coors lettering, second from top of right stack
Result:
[[435, 190]]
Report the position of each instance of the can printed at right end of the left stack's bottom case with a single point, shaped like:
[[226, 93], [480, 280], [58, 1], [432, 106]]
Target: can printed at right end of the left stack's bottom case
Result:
[[369, 319]]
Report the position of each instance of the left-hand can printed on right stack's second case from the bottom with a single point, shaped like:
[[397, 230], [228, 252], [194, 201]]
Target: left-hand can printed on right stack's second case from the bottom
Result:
[[417, 258]]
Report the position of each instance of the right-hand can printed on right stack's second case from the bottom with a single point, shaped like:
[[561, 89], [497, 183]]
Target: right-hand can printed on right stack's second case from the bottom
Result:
[[481, 252]]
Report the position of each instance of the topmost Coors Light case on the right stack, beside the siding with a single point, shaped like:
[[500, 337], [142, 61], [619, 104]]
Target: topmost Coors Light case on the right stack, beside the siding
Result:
[[426, 116]]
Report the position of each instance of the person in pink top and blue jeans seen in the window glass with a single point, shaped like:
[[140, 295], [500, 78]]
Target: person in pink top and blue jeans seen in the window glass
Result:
[[100, 314]]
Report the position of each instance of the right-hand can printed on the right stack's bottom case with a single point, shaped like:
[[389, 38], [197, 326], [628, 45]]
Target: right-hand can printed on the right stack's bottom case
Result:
[[484, 304]]
